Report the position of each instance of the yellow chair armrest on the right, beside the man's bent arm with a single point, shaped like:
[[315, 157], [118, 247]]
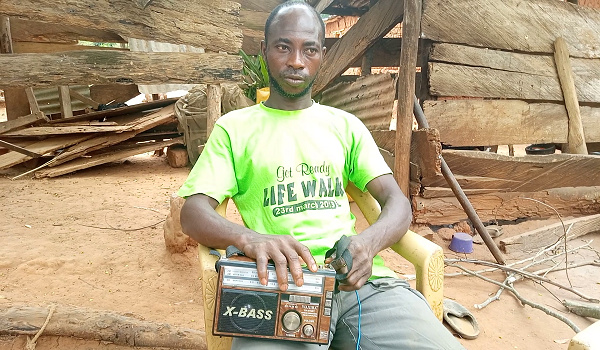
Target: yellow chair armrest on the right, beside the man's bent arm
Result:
[[426, 256]]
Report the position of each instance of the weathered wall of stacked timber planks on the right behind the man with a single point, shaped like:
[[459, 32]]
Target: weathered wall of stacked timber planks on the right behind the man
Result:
[[492, 80]]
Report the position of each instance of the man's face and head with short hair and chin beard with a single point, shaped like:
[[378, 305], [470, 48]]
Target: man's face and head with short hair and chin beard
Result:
[[293, 52]]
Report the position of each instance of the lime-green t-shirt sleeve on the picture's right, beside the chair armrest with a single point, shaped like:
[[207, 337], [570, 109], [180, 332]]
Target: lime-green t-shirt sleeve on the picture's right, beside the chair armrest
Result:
[[366, 162]]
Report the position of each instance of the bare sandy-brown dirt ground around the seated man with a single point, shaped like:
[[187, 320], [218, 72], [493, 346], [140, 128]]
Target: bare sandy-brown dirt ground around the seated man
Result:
[[94, 239]]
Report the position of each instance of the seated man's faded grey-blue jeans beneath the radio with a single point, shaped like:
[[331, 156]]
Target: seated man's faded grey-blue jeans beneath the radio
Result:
[[394, 316]]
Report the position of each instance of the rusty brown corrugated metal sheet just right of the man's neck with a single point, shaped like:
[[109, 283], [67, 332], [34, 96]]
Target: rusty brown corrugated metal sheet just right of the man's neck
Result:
[[370, 98]]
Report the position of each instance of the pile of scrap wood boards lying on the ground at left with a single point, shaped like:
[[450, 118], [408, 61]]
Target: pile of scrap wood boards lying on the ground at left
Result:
[[88, 139]]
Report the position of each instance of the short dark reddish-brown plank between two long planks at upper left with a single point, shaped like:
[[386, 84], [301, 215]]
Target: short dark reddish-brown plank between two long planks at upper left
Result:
[[43, 32]]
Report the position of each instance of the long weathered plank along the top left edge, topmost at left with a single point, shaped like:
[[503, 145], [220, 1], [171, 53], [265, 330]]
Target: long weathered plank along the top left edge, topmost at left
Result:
[[213, 25]]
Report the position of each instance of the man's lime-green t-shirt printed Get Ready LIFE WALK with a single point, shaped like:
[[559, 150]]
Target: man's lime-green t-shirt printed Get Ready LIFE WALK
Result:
[[286, 172]]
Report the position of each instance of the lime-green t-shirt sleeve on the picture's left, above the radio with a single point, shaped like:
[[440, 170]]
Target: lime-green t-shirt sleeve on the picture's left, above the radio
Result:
[[213, 174]]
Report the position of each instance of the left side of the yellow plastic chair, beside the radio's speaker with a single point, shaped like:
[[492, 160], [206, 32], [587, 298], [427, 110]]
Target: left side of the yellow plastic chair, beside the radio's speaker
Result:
[[209, 278]]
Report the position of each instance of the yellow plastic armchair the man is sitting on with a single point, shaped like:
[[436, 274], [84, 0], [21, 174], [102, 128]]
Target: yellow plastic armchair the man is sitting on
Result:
[[426, 256]]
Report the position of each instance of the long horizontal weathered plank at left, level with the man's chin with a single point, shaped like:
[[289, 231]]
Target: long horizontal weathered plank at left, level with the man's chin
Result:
[[118, 67]]
